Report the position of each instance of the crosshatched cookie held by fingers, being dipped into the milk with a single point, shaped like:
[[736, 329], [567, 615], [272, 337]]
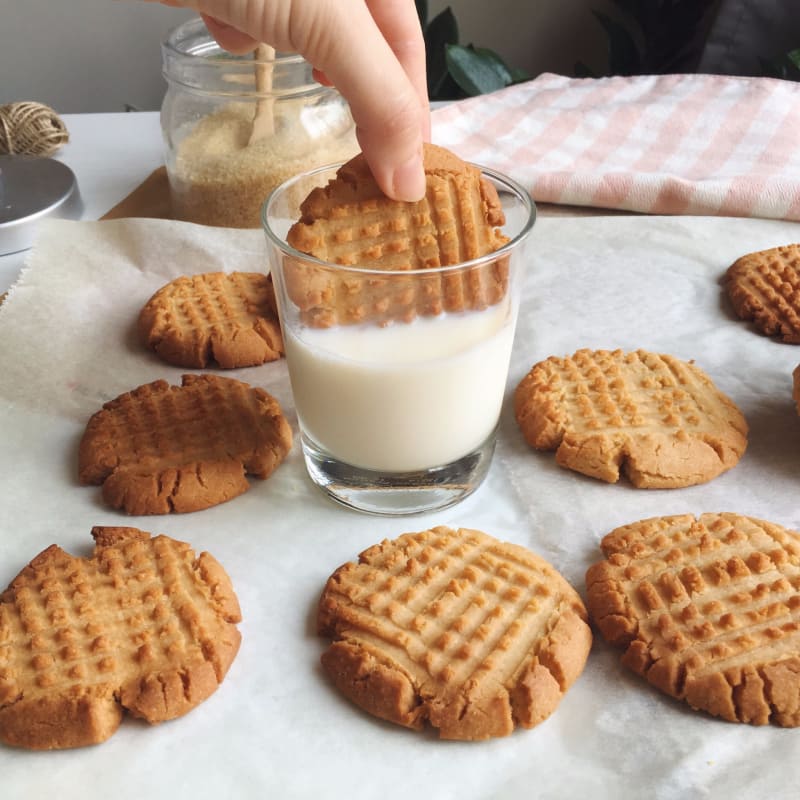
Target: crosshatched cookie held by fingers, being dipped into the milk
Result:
[[350, 222]]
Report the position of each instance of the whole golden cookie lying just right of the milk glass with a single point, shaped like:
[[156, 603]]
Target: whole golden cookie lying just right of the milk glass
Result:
[[659, 421]]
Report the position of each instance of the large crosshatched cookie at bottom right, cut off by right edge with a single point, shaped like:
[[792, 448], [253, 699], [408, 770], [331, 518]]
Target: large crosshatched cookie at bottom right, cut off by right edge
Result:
[[707, 609]]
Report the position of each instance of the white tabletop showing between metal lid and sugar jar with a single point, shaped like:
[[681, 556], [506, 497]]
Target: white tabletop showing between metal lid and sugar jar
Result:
[[110, 154]]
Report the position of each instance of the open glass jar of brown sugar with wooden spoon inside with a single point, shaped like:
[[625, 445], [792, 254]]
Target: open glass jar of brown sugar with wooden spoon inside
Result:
[[220, 171]]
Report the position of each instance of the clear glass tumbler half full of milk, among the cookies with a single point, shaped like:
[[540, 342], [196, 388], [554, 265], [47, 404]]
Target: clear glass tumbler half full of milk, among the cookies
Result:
[[398, 376]]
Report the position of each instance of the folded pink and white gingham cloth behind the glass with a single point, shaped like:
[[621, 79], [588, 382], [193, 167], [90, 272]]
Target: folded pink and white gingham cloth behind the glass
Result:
[[658, 144]]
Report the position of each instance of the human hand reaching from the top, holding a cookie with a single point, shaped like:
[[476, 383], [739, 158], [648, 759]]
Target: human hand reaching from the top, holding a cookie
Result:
[[371, 50]]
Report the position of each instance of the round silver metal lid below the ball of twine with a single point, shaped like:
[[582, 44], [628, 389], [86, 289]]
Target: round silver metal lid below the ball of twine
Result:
[[33, 189]]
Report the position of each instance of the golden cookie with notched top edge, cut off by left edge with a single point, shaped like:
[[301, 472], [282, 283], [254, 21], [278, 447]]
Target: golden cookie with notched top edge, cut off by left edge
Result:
[[143, 624]]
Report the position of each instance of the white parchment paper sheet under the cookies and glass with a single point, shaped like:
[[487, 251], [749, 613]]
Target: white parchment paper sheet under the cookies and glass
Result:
[[276, 728]]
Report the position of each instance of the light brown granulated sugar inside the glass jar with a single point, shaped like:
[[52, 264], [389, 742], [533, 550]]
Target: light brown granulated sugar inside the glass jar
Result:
[[219, 179]]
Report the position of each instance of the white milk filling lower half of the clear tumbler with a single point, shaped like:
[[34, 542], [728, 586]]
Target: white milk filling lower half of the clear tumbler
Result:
[[403, 397]]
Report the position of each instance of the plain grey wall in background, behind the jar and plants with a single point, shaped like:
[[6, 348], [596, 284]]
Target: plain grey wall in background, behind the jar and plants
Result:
[[100, 55]]
